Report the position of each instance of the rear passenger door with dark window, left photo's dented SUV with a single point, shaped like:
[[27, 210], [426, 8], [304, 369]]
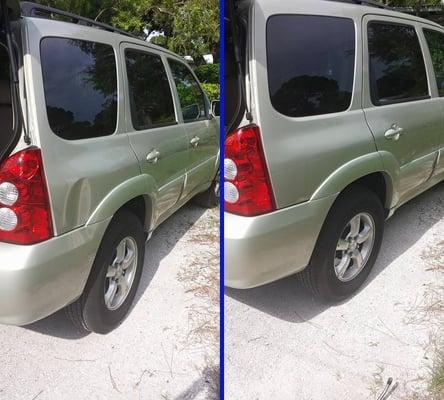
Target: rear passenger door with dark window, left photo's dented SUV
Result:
[[155, 134]]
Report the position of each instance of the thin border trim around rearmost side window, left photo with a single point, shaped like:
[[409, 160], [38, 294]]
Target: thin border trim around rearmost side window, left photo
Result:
[[118, 87]]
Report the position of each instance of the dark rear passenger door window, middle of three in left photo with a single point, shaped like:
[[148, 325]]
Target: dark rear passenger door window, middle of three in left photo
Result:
[[150, 93]]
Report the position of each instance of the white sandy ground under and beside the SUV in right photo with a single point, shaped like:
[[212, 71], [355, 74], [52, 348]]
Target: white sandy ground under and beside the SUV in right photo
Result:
[[282, 344]]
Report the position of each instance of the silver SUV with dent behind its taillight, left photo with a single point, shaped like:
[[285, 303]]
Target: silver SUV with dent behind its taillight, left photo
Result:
[[104, 137]]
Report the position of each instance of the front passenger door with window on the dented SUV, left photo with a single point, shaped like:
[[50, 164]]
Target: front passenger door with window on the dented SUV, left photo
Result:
[[201, 128]]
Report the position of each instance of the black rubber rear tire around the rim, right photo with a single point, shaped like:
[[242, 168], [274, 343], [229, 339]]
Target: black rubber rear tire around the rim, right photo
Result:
[[320, 276]]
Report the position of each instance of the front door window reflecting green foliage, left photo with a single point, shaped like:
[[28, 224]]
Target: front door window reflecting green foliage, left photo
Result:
[[190, 94]]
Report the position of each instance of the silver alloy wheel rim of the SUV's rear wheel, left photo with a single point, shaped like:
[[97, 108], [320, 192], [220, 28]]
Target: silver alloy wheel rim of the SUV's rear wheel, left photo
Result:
[[120, 273]]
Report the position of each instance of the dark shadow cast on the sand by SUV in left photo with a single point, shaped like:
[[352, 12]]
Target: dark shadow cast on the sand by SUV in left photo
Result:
[[163, 241]]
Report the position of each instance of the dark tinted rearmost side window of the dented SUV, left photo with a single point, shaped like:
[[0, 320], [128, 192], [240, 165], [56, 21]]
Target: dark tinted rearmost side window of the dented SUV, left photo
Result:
[[80, 84]]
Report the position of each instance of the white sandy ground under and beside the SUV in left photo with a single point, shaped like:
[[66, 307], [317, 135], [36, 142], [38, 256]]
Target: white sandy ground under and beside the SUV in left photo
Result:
[[166, 349]]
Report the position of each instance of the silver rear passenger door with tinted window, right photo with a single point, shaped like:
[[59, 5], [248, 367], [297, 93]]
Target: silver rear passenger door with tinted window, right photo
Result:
[[402, 112]]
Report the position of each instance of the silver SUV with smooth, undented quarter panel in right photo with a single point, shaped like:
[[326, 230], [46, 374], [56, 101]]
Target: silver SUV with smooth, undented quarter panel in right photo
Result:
[[334, 115]]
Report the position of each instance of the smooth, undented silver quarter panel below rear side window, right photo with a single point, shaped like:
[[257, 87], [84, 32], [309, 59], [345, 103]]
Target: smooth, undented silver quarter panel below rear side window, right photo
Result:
[[303, 153]]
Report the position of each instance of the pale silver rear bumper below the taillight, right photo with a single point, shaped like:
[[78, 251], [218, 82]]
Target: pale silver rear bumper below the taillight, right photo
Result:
[[263, 249]]
